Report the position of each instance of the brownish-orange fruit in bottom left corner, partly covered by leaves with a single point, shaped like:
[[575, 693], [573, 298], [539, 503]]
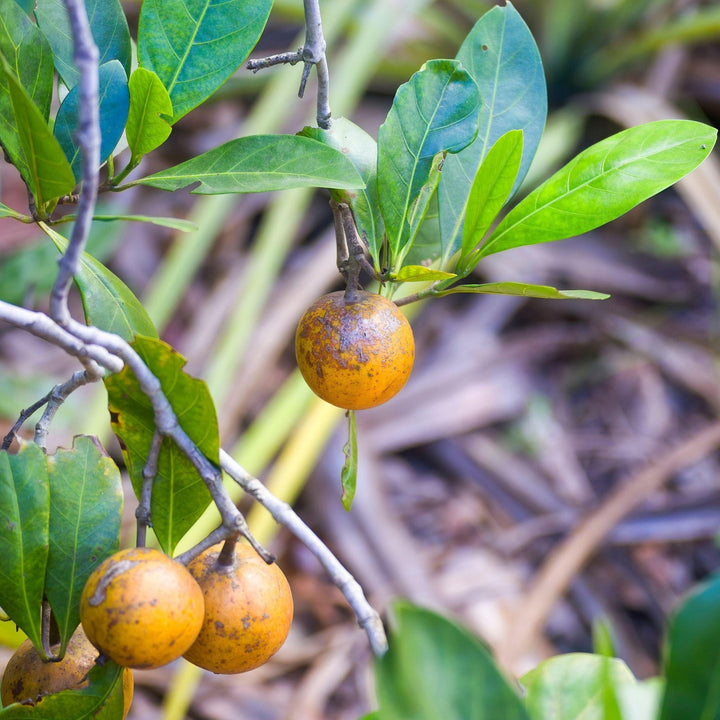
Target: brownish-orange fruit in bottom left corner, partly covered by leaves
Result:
[[27, 678]]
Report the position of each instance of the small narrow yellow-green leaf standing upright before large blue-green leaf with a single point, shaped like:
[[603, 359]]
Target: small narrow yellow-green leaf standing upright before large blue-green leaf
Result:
[[489, 192]]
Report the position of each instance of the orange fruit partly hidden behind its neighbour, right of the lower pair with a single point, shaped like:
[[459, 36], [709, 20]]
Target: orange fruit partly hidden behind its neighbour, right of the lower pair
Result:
[[248, 610]]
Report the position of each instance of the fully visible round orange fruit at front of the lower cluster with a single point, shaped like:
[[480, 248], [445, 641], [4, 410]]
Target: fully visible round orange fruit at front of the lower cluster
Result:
[[141, 608]]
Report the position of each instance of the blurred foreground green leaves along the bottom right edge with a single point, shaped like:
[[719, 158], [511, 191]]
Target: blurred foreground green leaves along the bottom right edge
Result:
[[436, 668]]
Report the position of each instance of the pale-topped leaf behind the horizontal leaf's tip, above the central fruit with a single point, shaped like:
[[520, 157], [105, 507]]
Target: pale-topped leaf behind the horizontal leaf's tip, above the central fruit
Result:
[[361, 149]]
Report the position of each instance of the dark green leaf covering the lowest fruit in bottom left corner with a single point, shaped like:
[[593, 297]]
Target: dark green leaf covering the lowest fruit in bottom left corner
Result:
[[102, 699]]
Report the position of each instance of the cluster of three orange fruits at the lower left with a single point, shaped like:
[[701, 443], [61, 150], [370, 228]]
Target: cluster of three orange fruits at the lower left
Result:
[[142, 609]]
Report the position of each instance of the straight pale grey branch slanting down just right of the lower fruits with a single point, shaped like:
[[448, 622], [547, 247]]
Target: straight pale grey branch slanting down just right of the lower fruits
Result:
[[283, 514]]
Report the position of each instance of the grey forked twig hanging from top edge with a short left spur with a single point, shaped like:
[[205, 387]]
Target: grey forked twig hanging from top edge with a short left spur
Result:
[[312, 53]]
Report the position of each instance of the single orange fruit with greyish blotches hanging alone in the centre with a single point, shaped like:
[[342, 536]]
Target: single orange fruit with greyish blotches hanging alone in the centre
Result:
[[357, 353]]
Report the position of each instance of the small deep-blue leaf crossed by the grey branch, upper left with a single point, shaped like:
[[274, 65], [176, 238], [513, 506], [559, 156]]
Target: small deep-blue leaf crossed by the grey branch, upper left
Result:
[[113, 109]]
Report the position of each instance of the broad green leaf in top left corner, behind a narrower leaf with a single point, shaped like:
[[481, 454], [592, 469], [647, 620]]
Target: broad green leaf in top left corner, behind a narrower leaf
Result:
[[29, 57]]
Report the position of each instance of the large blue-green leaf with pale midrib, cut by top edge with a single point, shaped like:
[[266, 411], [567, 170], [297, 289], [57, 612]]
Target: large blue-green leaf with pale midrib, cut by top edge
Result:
[[194, 46]]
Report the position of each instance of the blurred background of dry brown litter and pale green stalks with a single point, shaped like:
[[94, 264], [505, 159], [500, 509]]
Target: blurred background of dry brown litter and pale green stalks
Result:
[[550, 464]]
